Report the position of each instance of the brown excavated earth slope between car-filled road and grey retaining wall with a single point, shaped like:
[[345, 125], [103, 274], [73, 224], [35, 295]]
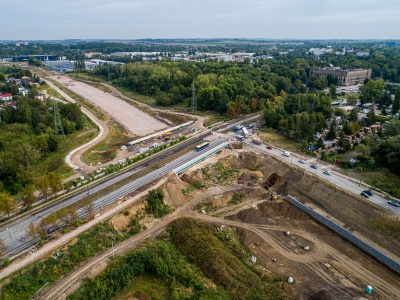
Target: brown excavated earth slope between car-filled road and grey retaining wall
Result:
[[353, 212]]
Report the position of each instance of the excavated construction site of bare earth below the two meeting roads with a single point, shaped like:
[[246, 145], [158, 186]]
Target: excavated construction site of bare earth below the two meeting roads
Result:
[[244, 190]]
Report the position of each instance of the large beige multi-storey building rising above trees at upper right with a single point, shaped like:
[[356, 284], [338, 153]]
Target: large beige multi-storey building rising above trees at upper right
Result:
[[344, 76]]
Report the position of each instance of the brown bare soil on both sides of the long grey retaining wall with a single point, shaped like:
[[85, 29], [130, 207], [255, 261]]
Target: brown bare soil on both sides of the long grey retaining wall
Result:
[[350, 270]]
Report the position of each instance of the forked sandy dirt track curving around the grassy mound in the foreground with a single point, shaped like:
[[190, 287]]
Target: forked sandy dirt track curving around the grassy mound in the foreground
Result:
[[321, 252]]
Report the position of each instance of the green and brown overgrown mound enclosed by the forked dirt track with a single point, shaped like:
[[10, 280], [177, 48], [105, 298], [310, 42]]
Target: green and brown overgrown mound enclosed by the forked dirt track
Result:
[[174, 267]]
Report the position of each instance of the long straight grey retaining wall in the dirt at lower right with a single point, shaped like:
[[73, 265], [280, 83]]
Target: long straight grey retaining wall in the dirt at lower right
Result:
[[375, 253]]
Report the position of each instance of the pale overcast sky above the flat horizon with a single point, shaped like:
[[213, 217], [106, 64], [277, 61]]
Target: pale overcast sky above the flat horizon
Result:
[[130, 19]]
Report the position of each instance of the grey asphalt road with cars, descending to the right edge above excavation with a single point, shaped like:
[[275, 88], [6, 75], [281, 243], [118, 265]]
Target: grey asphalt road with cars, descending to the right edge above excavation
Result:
[[338, 179]]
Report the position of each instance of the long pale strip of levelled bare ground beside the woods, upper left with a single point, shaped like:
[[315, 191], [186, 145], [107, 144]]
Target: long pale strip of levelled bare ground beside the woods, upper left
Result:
[[133, 119]]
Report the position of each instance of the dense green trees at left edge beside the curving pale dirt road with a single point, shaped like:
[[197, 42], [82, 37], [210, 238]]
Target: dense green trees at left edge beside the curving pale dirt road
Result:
[[27, 136]]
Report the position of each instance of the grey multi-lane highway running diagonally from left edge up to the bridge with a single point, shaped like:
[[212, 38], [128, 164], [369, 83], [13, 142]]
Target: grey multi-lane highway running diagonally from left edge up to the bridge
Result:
[[16, 238]]
